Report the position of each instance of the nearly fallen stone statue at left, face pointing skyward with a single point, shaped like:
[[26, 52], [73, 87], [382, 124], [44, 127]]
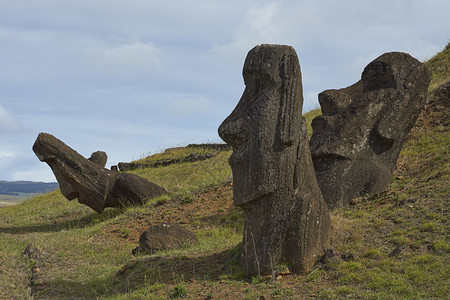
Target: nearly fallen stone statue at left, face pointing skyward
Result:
[[90, 182]]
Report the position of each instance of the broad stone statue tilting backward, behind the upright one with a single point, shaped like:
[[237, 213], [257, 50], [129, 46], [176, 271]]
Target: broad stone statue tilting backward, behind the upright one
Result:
[[356, 142]]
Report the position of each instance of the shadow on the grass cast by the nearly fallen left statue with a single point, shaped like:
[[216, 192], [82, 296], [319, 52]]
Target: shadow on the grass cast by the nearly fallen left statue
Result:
[[64, 223]]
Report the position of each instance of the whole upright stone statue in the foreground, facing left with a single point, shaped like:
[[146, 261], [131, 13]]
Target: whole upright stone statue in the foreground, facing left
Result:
[[286, 218]]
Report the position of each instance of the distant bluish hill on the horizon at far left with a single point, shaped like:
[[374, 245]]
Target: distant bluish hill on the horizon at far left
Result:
[[15, 188]]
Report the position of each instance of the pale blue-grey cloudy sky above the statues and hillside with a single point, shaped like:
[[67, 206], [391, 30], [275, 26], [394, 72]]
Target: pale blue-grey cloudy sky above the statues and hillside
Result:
[[135, 77]]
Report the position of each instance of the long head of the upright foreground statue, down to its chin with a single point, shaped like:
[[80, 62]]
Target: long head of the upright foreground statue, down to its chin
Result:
[[261, 127]]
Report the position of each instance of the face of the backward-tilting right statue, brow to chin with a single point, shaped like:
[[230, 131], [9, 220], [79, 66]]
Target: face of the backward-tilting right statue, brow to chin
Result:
[[351, 115]]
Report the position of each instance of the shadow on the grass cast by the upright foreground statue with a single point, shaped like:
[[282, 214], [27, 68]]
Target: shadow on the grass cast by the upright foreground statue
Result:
[[144, 272]]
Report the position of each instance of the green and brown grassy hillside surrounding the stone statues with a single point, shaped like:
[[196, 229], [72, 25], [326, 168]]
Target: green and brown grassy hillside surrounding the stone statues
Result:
[[76, 253]]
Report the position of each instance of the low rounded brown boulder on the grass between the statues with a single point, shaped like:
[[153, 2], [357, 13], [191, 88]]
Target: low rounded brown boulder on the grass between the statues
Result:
[[163, 237]]
